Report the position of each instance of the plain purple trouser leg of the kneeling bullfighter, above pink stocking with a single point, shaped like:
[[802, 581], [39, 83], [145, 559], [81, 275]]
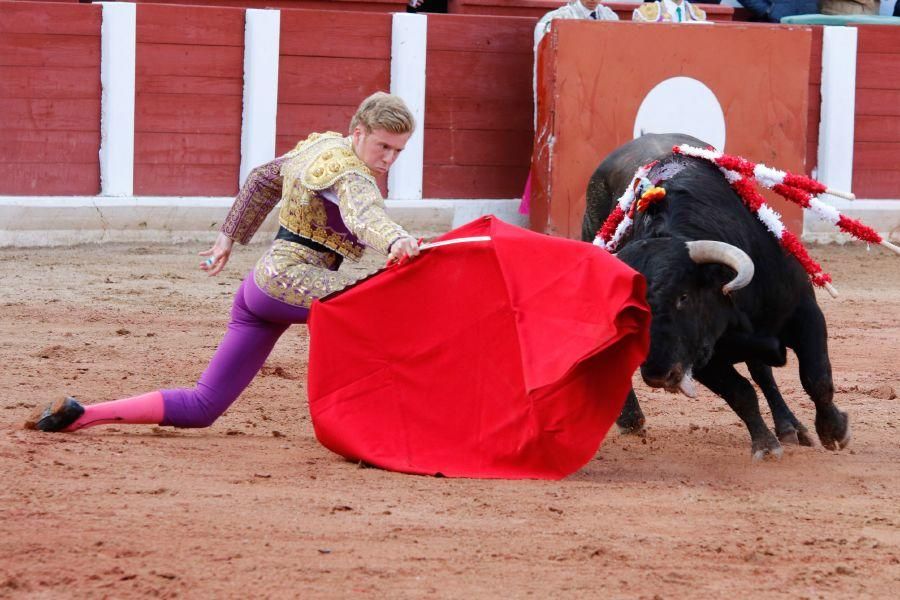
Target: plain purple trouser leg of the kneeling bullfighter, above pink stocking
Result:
[[257, 321]]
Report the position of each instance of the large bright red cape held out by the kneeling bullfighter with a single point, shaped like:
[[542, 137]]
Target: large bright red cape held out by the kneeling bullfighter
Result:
[[507, 358]]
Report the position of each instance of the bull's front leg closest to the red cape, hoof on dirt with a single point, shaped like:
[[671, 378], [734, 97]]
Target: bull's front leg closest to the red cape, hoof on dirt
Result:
[[725, 381]]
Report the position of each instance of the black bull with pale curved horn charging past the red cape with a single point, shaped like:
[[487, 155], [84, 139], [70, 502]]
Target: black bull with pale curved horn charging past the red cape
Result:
[[699, 329]]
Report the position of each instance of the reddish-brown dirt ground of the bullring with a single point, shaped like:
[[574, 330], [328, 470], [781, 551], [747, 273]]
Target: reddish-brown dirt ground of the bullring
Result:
[[255, 507]]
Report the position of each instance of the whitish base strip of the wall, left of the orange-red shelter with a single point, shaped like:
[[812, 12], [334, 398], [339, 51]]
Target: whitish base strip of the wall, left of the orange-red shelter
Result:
[[29, 221]]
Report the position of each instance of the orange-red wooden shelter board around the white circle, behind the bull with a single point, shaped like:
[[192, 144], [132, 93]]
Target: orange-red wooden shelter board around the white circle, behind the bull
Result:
[[588, 107]]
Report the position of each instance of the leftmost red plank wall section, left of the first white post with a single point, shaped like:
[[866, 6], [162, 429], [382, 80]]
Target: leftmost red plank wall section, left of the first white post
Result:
[[49, 99]]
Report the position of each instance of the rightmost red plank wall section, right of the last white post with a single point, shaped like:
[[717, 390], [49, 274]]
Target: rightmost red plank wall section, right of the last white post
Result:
[[876, 148]]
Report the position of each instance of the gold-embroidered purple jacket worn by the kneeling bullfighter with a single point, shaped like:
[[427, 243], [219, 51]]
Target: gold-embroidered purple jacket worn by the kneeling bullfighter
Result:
[[328, 196]]
